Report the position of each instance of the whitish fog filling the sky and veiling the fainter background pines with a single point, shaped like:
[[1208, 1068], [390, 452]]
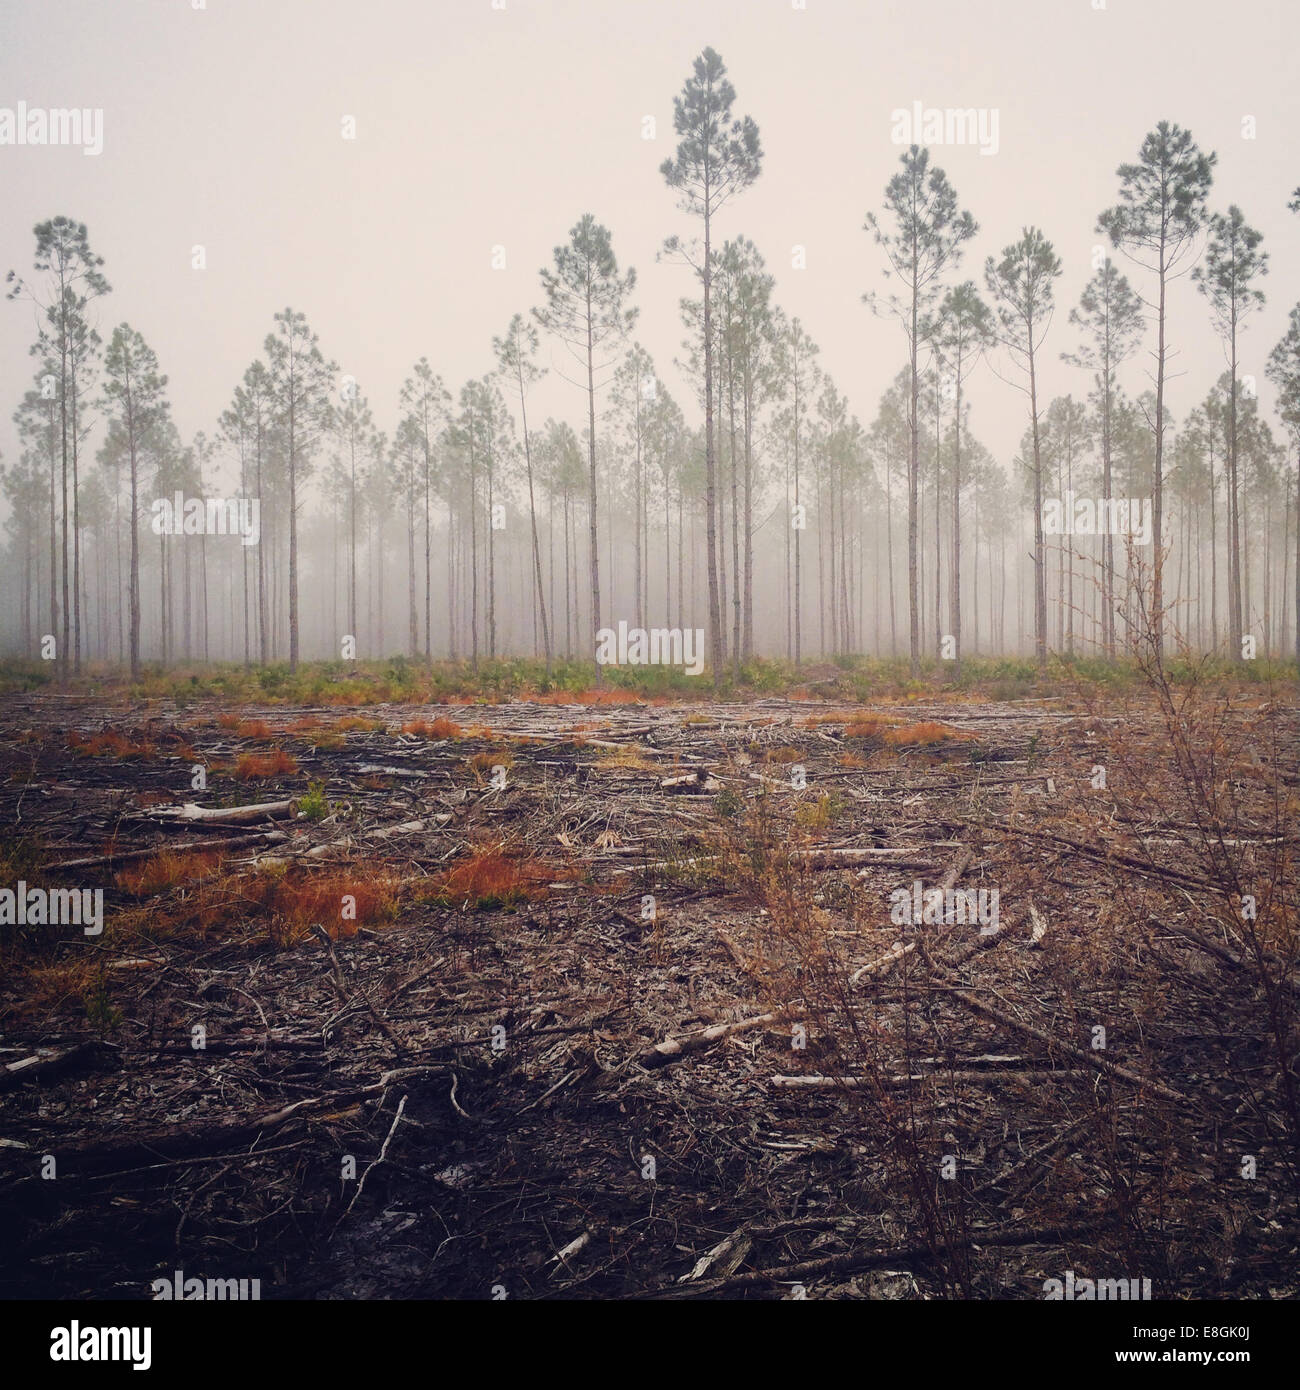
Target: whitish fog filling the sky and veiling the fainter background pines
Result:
[[401, 177]]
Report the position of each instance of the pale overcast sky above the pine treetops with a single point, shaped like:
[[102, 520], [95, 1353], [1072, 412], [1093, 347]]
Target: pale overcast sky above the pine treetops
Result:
[[480, 127]]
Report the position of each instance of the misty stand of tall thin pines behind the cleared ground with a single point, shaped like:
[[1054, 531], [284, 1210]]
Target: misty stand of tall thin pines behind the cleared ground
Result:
[[454, 525]]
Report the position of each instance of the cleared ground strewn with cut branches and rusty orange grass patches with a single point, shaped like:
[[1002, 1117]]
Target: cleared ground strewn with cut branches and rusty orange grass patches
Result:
[[511, 1061]]
